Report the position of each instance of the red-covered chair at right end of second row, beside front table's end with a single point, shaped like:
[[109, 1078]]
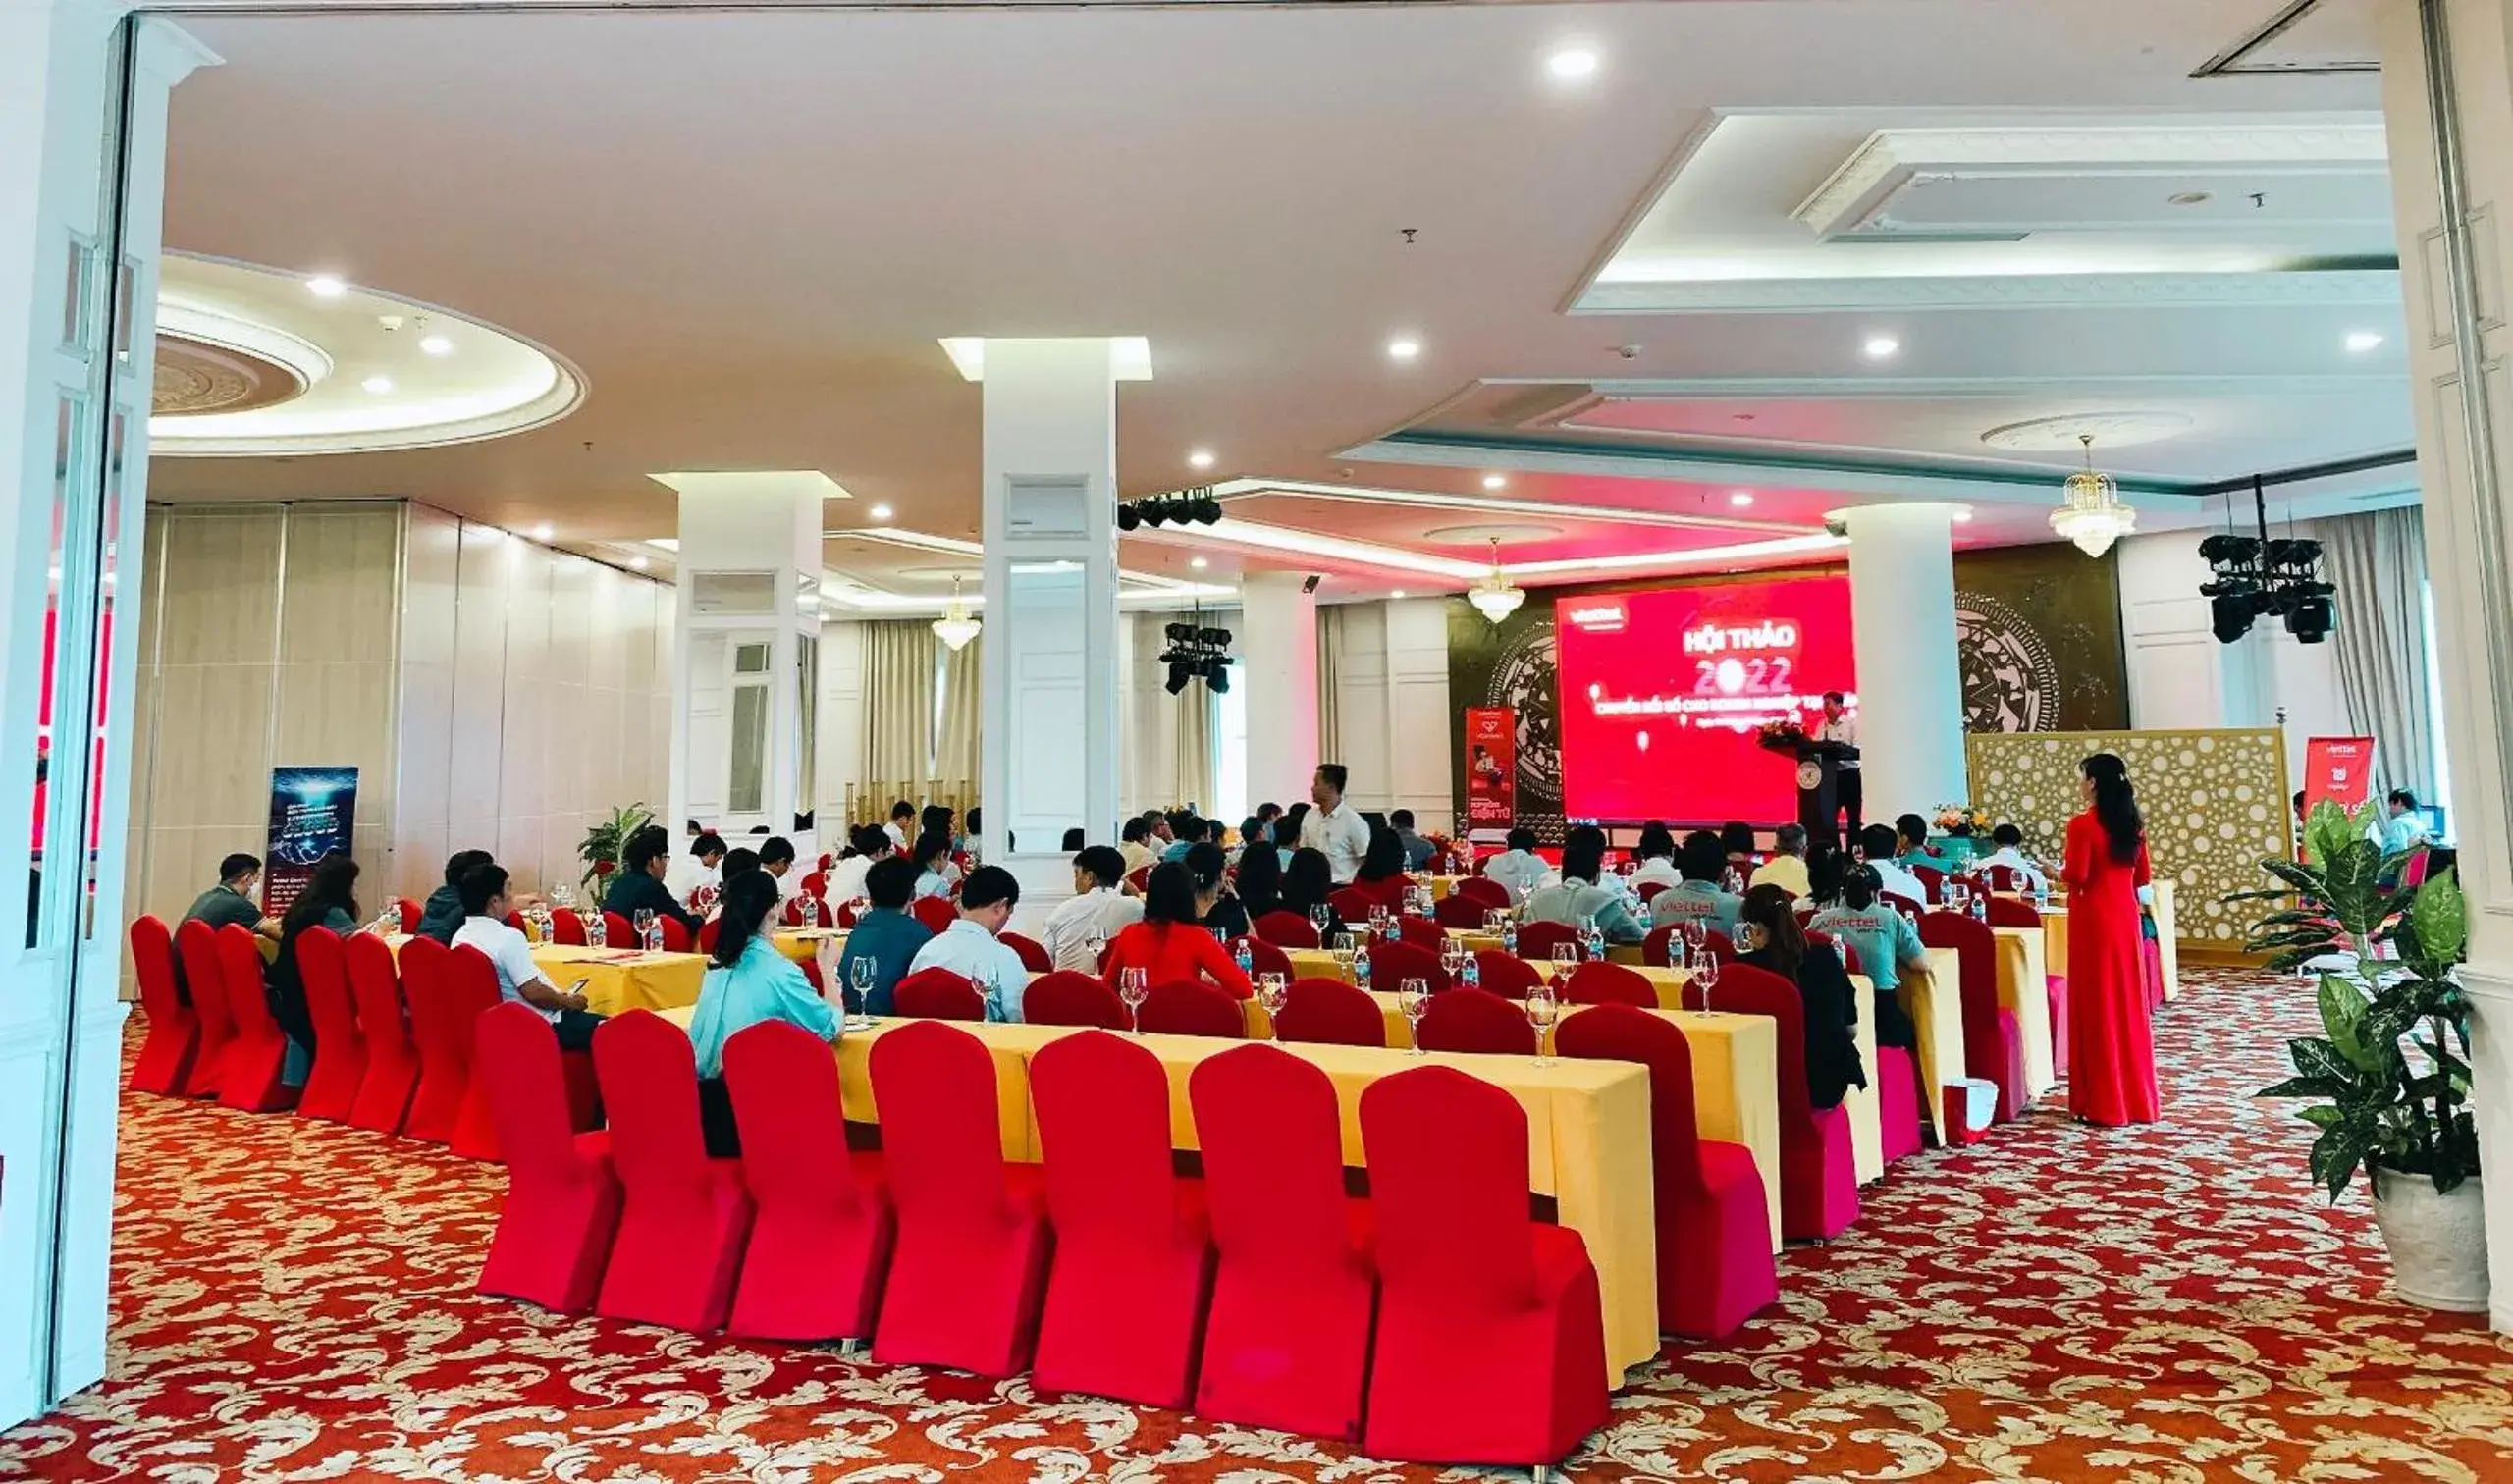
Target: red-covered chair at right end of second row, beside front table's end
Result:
[[1715, 1219]]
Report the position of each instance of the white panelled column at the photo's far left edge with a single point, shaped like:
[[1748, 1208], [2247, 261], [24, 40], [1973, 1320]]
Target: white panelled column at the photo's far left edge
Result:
[[82, 375]]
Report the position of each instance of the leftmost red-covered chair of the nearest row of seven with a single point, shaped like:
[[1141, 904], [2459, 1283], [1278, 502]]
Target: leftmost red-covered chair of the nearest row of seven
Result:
[[562, 1196]]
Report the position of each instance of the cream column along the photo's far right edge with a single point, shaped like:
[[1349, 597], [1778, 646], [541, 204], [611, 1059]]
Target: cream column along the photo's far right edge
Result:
[[2467, 541]]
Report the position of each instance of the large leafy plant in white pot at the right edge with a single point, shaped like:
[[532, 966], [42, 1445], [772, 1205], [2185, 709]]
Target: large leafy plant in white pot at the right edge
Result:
[[2389, 1086]]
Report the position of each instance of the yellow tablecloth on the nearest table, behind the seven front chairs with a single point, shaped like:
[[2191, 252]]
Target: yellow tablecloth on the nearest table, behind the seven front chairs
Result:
[[1587, 1139]]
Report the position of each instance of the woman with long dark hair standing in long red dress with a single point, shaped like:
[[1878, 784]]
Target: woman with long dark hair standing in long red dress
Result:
[[2112, 1053]]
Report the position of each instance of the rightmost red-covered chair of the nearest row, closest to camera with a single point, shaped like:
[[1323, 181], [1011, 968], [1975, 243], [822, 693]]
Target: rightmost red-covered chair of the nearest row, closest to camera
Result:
[[1491, 1337]]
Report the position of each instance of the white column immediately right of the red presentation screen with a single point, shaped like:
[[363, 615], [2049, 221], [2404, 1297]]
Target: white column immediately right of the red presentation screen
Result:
[[1911, 687]]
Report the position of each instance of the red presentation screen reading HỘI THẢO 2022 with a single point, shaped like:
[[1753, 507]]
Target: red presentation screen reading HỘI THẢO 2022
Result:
[[1665, 692]]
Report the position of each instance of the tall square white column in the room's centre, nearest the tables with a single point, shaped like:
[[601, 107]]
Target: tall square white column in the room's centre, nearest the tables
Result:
[[1049, 734]]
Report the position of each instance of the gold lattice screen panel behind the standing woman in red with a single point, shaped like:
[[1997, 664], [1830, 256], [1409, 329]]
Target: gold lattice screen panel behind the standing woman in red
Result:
[[2215, 805]]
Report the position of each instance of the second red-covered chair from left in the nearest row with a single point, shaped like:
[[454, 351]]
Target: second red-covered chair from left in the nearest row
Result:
[[685, 1217]]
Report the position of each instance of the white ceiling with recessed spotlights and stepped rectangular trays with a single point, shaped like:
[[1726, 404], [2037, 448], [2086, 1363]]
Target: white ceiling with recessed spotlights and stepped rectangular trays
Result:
[[750, 230]]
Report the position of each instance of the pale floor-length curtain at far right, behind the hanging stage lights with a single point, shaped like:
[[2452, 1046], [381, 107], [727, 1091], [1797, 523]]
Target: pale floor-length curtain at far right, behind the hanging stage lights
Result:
[[2379, 566]]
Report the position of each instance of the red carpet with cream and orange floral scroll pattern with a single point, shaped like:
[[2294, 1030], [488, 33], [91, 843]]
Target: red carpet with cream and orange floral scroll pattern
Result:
[[293, 1302]]
